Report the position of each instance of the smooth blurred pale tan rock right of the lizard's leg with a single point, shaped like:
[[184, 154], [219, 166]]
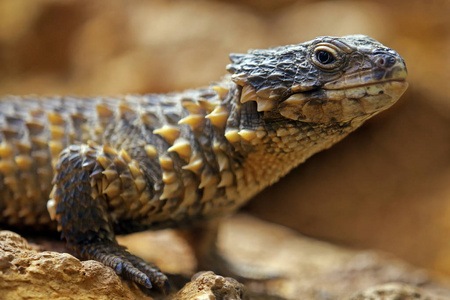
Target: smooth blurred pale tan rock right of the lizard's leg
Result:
[[303, 268]]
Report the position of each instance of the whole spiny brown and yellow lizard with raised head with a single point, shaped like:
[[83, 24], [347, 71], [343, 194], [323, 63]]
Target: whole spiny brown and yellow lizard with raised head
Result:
[[116, 165]]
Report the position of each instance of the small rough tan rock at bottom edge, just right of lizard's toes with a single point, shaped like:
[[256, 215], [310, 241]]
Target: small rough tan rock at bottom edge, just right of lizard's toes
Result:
[[209, 286]]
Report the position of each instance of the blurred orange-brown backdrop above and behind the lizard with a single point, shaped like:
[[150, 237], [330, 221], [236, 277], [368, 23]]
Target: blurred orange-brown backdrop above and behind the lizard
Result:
[[385, 187]]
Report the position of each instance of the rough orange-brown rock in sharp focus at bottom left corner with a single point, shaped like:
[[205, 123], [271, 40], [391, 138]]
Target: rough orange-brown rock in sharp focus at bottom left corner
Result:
[[29, 274]]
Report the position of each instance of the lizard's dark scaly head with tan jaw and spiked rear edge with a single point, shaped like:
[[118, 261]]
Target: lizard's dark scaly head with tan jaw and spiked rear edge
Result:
[[326, 80]]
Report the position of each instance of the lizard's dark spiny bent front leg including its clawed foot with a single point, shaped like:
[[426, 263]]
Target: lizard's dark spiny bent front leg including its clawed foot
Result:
[[87, 181]]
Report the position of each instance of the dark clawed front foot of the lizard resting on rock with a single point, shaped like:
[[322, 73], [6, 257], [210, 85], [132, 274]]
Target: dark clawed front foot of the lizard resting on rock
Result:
[[127, 265]]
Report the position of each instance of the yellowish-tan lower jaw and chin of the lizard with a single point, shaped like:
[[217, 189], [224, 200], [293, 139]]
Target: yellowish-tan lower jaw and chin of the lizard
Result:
[[344, 104]]
